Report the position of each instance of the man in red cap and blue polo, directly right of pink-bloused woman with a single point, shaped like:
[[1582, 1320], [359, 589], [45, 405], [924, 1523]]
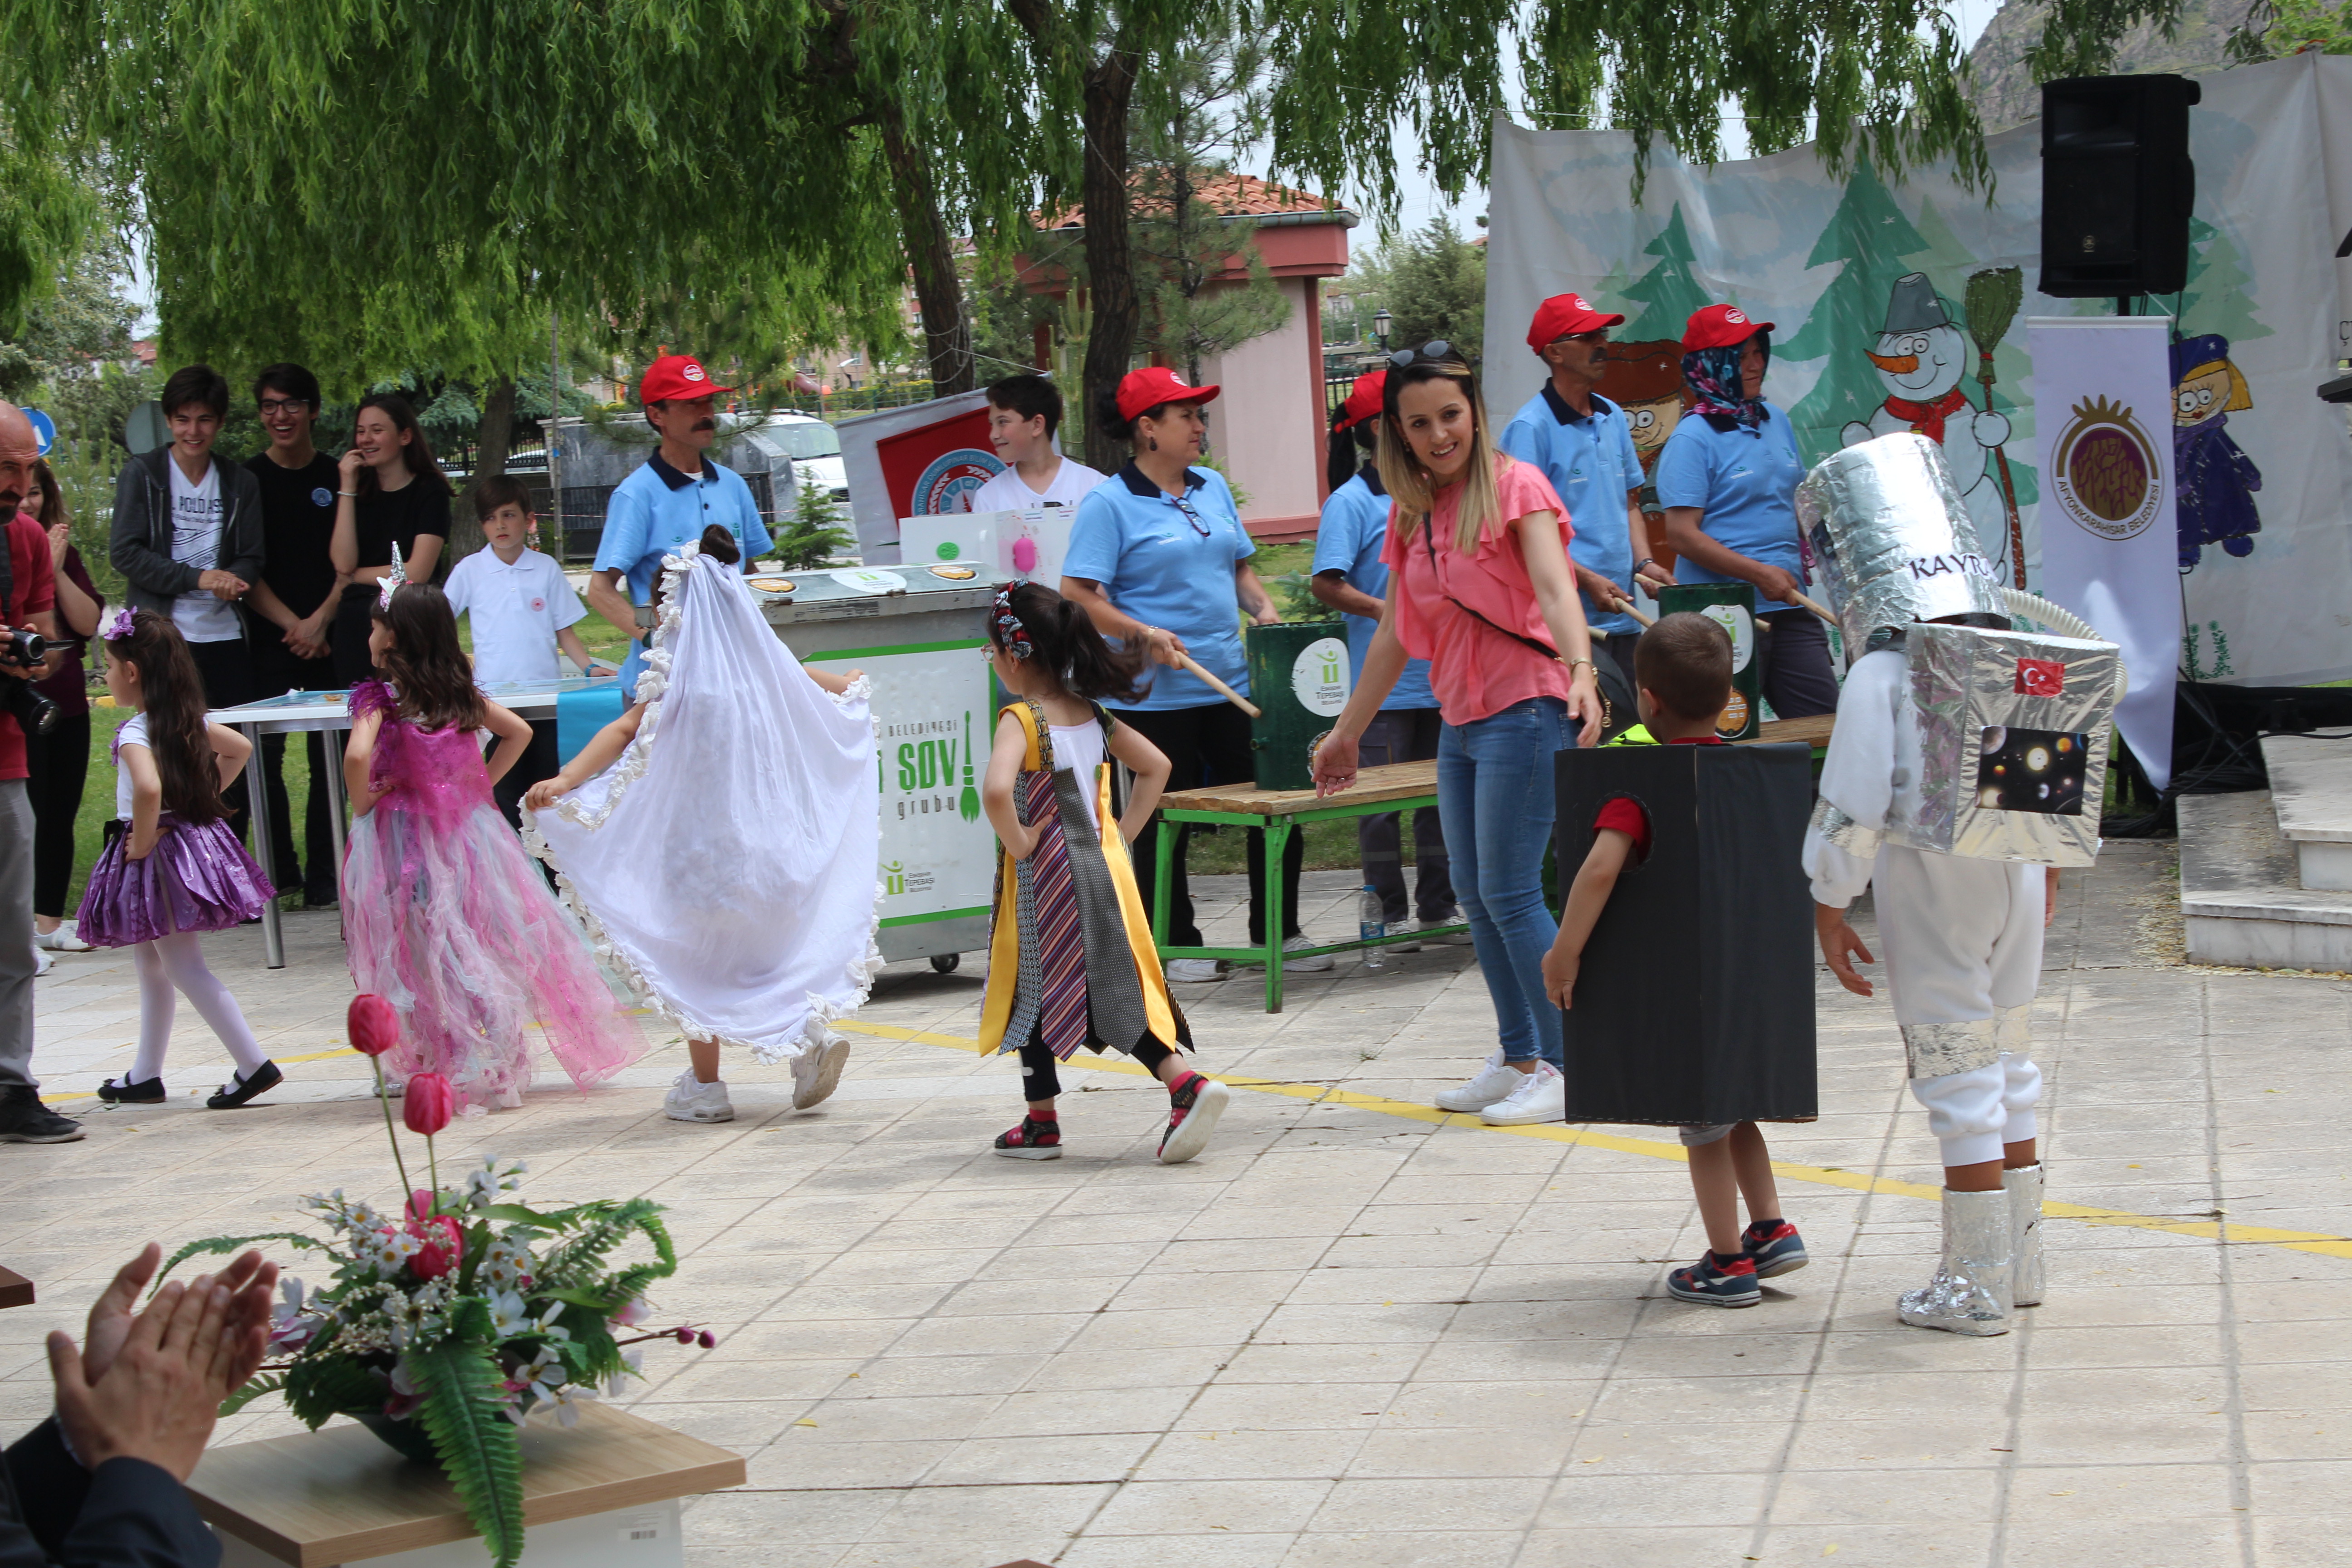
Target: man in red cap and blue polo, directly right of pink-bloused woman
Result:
[[1584, 445]]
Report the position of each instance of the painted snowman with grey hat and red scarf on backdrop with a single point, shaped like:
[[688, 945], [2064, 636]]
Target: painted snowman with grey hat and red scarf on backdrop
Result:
[[1923, 356]]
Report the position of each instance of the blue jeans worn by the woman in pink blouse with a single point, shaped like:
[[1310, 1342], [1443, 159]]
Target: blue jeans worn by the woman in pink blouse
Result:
[[1495, 798]]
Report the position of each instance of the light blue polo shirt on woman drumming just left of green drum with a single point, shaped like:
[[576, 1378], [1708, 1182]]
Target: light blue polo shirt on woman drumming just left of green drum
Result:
[[1172, 572]]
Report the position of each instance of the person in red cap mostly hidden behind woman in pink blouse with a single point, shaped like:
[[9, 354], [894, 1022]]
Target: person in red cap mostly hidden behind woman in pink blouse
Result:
[[1351, 579]]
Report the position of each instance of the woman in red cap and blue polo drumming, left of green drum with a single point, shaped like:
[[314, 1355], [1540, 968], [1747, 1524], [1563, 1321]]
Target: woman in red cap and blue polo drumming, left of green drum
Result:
[[1161, 558]]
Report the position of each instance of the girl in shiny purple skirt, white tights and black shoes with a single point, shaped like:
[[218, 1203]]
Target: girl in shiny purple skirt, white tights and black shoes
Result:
[[173, 869]]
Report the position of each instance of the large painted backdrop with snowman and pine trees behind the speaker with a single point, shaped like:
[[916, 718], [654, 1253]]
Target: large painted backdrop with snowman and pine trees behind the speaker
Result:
[[1897, 311]]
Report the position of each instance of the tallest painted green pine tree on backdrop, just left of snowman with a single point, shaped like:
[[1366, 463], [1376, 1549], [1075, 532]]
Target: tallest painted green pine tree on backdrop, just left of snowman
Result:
[[1873, 243]]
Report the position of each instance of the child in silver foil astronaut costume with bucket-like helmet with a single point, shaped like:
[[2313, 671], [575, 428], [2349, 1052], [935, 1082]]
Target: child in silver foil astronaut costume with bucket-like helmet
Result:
[[1967, 768]]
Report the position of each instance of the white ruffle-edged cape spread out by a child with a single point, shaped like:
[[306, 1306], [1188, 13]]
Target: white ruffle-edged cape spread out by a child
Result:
[[728, 864]]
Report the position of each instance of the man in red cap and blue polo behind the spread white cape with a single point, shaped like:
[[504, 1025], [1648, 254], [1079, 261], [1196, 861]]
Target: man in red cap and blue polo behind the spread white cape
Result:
[[669, 502]]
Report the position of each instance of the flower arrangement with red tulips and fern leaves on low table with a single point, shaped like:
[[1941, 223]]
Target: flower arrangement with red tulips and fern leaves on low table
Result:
[[457, 1318]]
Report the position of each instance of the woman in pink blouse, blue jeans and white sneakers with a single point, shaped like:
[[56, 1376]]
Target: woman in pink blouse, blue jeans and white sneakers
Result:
[[1481, 587]]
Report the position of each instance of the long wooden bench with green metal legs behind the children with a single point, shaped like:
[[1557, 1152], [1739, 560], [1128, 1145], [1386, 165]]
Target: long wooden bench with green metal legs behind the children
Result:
[[1278, 815]]
